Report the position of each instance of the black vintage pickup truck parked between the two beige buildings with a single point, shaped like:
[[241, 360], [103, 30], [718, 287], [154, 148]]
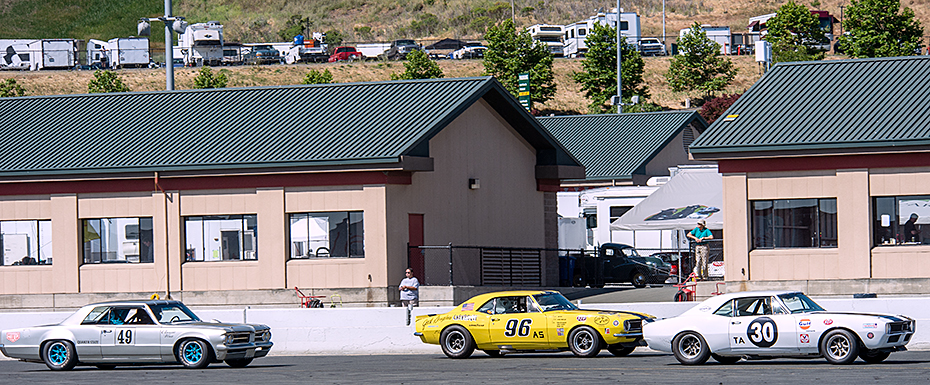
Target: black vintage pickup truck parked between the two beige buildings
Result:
[[618, 263]]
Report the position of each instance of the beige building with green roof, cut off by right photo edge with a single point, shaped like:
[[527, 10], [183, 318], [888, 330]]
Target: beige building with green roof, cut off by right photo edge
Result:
[[827, 178]]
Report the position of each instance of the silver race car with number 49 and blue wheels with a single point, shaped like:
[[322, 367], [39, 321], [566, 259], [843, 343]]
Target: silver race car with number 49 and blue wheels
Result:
[[136, 332]]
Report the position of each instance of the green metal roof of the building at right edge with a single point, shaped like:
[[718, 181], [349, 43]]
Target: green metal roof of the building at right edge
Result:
[[826, 106]]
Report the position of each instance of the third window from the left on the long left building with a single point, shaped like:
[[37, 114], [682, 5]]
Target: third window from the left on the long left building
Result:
[[221, 238]]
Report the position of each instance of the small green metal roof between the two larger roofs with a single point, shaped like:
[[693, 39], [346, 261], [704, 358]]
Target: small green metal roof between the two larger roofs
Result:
[[617, 146]]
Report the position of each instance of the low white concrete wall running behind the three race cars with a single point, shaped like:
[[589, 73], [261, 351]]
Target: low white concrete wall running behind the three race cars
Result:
[[299, 331]]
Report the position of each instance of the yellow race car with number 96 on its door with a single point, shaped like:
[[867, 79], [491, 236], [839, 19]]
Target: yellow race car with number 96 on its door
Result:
[[524, 321]]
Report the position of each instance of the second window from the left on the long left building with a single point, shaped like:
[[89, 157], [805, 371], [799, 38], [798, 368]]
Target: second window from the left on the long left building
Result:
[[118, 240]]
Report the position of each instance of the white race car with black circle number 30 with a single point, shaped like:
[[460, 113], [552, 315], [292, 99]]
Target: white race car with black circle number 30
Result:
[[773, 324]]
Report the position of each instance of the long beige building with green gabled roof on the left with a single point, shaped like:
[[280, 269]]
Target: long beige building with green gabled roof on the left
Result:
[[223, 205]]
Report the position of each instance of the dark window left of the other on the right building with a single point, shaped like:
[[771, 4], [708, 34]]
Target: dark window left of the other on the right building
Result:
[[783, 223]]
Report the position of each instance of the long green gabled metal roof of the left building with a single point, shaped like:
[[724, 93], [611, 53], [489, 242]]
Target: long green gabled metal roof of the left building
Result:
[[236, 128]]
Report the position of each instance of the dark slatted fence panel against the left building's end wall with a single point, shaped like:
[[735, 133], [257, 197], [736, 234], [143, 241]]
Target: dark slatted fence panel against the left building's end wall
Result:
[[510, 267]]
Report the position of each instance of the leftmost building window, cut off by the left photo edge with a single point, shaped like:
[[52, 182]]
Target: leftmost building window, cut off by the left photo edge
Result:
[[26, 242]]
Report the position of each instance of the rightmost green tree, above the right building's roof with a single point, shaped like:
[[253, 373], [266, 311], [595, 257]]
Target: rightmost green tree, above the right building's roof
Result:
[[879, 28]]
